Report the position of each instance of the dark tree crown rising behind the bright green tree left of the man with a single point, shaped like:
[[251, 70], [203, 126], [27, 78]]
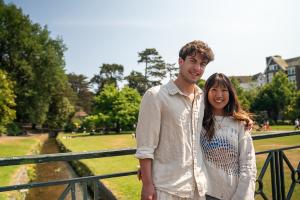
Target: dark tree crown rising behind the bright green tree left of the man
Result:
[[108, 74]]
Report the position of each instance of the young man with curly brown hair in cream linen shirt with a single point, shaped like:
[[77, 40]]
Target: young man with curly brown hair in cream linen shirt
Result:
[[168, 131]]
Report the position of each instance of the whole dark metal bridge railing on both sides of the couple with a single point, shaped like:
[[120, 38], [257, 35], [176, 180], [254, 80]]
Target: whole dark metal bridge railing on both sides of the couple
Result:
[[276, 161]]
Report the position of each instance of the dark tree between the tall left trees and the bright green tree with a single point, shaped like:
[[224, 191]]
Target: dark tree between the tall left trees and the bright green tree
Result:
[[84, 96]]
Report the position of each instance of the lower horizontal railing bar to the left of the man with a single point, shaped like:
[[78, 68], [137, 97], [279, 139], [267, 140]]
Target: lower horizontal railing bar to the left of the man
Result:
[[65, 181]]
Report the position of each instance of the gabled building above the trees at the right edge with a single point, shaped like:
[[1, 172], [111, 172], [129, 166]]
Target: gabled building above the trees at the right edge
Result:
[[289, 66]]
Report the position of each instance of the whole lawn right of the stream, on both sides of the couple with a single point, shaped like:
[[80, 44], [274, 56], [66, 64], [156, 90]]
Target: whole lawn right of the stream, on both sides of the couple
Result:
[[129, 187]]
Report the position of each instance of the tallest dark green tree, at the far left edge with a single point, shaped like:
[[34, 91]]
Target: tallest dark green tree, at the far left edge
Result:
[[15, 45]]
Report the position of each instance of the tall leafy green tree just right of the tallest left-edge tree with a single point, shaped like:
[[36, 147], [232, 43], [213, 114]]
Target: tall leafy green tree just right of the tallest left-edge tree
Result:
[[49, 79]]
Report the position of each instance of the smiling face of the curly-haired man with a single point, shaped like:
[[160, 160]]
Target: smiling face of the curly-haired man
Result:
[[192, 68]]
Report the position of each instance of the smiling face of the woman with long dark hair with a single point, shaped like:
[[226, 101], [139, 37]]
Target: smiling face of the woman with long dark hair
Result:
[[218, 98]]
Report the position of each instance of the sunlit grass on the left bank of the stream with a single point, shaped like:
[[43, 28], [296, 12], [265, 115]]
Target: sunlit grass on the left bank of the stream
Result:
[[14, 146]]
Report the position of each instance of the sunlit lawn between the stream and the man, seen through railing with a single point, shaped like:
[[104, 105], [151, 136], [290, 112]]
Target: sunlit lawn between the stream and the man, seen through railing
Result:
[[124, 187]]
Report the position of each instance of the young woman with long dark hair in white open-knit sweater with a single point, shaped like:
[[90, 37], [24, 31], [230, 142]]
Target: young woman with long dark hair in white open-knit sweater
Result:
[[228, 149]]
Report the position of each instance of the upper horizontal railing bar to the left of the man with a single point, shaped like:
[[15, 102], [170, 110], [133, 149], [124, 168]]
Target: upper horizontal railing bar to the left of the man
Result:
[[20, 160]]
